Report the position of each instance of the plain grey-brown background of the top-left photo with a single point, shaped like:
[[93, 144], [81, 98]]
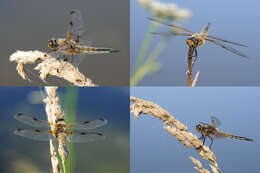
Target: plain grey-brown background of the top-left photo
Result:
[[27, 25]]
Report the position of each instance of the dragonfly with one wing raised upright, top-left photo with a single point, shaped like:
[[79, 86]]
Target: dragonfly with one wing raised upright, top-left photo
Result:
[[75, 47]]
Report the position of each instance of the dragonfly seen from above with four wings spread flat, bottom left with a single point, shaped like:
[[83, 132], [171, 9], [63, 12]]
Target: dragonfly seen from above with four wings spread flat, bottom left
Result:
[[59, 130]]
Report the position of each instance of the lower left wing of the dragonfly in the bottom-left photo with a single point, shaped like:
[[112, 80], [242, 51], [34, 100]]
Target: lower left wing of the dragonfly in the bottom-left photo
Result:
[[40, 135]]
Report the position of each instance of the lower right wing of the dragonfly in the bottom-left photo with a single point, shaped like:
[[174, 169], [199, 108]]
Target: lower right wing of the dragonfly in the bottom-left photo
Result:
[[83, 137]]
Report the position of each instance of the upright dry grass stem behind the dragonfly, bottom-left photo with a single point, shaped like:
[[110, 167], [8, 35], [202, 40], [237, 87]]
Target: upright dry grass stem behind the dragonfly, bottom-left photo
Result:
[[54, 112]]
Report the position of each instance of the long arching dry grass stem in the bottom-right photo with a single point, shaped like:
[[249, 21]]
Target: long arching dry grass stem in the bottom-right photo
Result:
[[174, 127]]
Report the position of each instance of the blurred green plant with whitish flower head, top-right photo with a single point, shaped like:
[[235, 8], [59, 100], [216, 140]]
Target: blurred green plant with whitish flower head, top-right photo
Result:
[[146, 63]]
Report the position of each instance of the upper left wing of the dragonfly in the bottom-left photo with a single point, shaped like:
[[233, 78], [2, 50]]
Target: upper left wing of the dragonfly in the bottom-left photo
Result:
[[32, 121]]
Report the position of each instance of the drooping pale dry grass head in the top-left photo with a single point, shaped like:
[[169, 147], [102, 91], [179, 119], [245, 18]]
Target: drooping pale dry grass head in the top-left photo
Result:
[[49, 65]]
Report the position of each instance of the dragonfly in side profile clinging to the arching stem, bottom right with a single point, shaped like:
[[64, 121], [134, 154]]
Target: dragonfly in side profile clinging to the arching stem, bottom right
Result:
[[211, 131]]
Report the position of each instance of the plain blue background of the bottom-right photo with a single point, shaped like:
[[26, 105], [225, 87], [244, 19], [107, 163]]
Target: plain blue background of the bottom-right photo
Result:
[[154, 150]]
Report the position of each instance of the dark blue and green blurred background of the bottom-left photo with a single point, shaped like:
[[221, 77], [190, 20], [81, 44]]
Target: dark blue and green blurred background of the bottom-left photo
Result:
[[18, 154]]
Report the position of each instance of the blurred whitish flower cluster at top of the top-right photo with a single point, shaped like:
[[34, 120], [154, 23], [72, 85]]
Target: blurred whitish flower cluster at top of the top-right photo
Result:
[[165, 10]]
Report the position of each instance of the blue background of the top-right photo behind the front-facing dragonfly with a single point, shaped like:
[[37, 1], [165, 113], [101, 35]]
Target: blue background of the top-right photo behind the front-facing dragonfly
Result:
[[234, 20]]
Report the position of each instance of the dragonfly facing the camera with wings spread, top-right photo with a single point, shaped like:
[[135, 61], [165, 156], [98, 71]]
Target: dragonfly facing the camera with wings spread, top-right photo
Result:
[[196, 40]]
